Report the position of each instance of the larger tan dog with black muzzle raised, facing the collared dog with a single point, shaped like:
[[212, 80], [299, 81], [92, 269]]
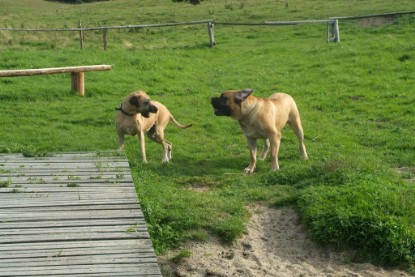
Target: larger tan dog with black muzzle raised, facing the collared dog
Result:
[[261, 118]]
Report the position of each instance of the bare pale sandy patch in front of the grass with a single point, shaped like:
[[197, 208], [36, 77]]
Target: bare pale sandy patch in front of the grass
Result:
[[274, 244]]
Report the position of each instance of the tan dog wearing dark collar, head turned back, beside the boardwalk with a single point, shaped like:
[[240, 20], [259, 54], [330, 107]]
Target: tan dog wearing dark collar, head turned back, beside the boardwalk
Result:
[[138, 115]]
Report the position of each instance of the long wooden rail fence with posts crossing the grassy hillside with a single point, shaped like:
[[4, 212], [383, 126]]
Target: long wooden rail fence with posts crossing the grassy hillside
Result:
[[333, 31]]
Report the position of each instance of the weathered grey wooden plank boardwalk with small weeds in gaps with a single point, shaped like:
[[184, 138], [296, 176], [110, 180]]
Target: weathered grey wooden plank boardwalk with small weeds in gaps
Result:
[[71, 215]]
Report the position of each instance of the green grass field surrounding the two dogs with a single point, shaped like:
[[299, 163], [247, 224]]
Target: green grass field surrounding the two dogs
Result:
[[356, 100]]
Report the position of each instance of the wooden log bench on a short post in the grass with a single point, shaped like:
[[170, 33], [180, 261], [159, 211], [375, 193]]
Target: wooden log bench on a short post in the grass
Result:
[[77, 74]]
